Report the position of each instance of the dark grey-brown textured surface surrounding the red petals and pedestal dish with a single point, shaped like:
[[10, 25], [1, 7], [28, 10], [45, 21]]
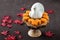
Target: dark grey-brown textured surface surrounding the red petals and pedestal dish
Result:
[[12, 7]]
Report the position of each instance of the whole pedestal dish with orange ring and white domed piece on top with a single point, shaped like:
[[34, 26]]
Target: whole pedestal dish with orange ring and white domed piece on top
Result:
[[35, 18]]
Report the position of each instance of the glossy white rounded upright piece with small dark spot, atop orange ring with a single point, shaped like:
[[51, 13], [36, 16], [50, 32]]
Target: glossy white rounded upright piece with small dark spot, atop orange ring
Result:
[[37, 10]]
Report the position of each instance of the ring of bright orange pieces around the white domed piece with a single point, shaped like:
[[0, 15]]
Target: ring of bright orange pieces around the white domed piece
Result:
[[35, 23]]
